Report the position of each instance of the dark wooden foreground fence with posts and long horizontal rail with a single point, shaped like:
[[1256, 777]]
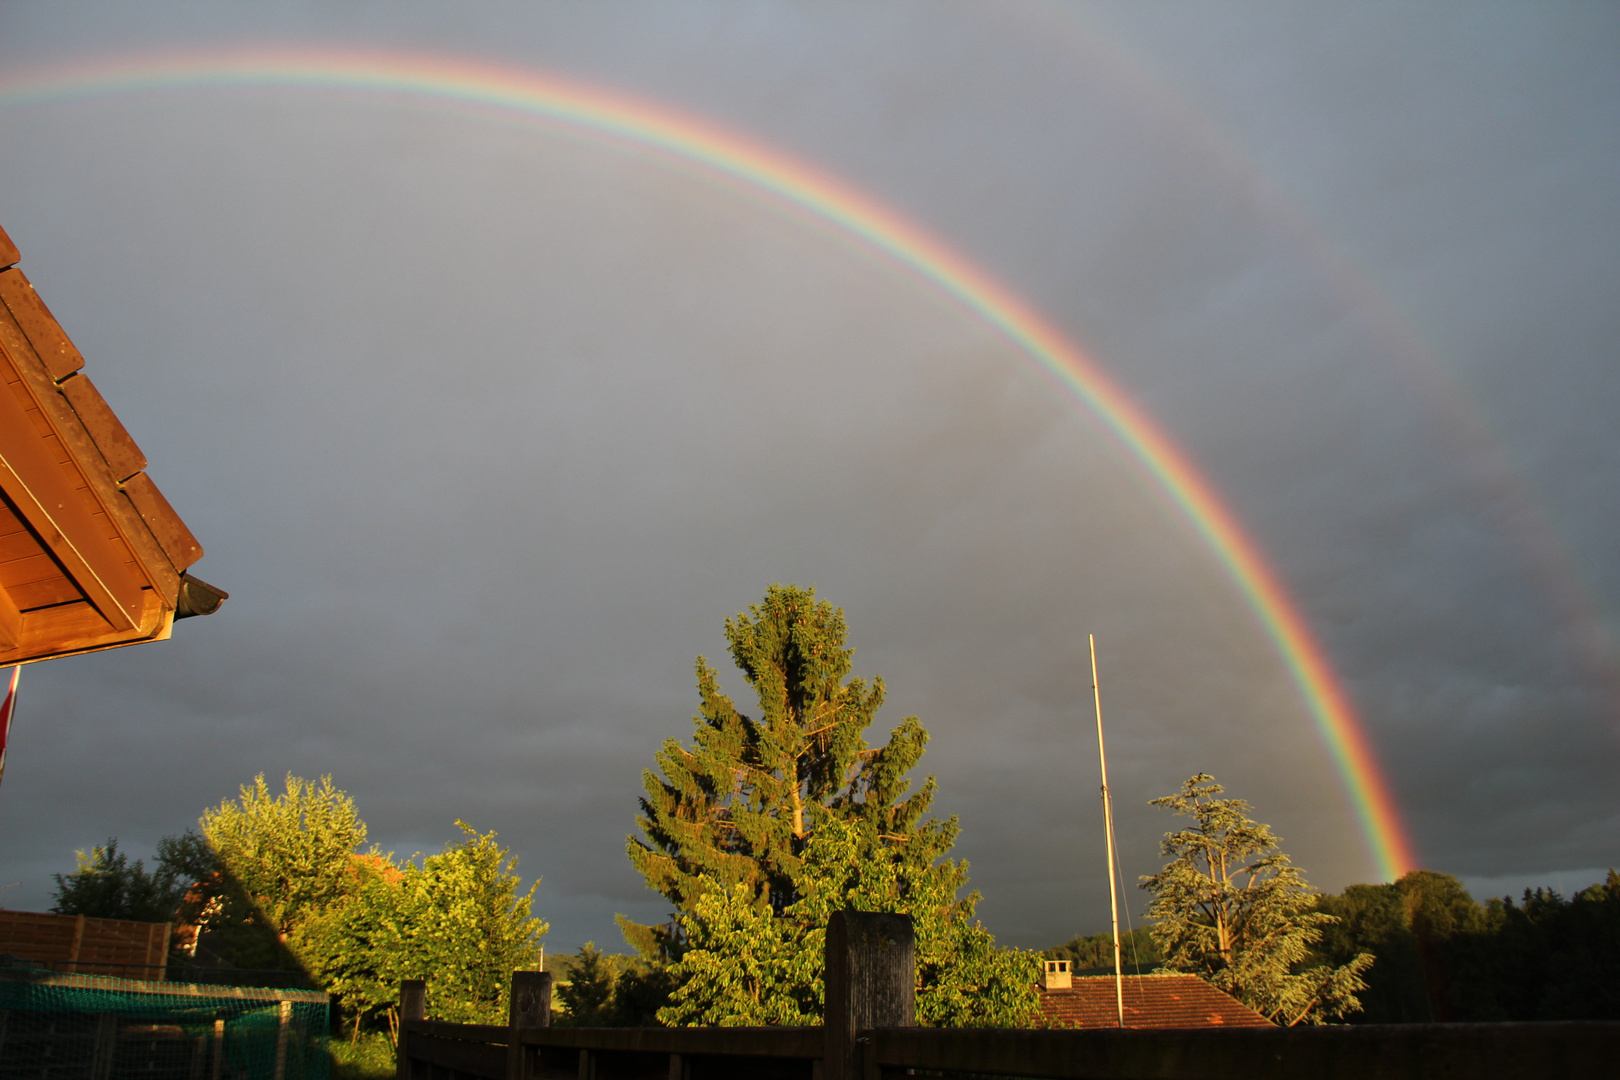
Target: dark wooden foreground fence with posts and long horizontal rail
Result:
[[871, 982]]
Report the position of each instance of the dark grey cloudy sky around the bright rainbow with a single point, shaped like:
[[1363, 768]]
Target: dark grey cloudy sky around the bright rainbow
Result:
[[488, 425]]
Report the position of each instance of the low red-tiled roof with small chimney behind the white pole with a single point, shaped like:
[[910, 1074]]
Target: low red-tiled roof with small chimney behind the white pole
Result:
[[1151, 1001]]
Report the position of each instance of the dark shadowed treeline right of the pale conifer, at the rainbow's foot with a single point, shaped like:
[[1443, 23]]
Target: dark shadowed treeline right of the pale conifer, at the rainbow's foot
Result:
[[1446, 958]]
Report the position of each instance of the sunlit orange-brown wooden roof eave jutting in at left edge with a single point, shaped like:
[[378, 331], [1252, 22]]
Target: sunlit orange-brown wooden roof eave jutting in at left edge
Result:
[[92, 555]]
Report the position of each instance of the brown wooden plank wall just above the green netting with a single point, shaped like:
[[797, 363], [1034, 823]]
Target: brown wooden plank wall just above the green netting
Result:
[[90, 946]]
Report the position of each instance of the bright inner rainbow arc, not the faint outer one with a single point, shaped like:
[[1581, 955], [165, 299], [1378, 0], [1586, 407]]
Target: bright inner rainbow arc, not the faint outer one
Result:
[[757, 169]]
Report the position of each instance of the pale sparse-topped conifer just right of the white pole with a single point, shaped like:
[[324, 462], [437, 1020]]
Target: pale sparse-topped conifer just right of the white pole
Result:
[[1232, 909]]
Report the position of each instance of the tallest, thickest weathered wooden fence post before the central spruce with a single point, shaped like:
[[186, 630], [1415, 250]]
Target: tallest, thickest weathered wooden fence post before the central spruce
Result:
[[871, 984]]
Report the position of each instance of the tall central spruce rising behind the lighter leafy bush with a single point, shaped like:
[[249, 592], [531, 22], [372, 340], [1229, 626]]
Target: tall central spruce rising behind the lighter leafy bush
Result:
[[741, 806]]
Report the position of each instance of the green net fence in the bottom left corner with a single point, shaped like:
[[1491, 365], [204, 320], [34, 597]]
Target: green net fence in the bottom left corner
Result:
[[90, 1027]]
